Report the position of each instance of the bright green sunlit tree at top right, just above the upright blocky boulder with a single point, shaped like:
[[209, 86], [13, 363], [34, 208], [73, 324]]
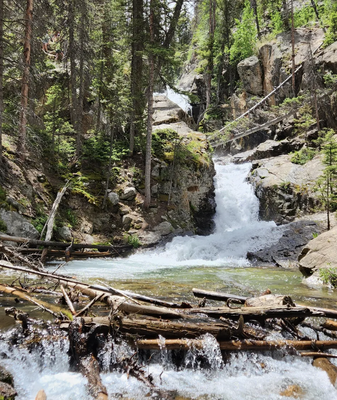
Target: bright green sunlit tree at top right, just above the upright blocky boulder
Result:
[[245, 36]]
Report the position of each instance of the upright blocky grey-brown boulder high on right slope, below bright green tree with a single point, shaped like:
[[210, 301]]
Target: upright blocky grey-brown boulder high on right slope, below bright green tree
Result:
[[250, 73]]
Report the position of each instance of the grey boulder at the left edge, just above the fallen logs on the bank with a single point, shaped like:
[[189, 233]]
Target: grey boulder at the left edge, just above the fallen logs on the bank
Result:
[[17, 225]]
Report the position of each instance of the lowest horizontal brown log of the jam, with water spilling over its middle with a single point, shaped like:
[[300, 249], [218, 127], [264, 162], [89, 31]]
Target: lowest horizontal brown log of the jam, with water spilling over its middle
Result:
[[243, 345]]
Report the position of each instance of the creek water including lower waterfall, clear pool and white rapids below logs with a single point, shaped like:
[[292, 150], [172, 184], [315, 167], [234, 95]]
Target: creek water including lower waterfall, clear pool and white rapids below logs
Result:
[[216, 262]]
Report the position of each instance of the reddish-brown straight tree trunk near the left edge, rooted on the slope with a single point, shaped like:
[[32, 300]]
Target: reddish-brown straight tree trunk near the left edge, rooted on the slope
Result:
[[28, 17]]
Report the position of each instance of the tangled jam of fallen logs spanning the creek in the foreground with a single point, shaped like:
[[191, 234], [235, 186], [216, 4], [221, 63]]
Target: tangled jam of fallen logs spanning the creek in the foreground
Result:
[[242, 324]]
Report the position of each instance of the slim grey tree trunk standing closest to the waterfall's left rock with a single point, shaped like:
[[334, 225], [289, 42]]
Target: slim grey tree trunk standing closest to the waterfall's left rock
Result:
[[148, 157]]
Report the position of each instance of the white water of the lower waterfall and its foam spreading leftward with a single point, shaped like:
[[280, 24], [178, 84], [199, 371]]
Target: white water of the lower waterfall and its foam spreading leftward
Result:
[[237, 231]]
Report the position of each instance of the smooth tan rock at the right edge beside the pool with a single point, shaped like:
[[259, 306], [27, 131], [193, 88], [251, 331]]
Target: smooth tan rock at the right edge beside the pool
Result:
[[319, 253]]
